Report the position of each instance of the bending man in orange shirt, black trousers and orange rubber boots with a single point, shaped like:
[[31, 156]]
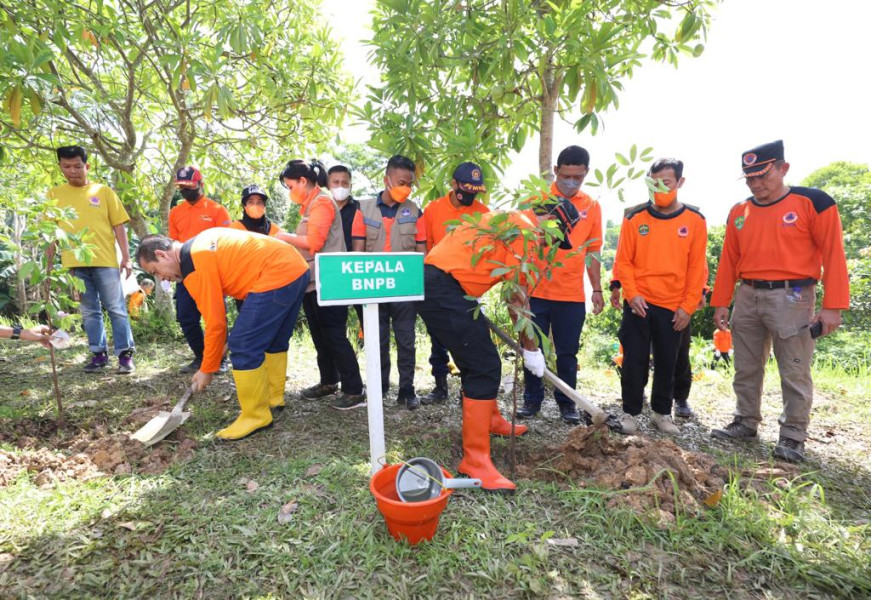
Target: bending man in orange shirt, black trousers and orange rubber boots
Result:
[[450, 279]]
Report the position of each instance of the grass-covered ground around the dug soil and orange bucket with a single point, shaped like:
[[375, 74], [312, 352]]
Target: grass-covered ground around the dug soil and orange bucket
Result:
[[209, 527]]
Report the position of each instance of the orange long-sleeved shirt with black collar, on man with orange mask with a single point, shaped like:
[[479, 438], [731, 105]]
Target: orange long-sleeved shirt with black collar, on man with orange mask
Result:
[[662, 257]]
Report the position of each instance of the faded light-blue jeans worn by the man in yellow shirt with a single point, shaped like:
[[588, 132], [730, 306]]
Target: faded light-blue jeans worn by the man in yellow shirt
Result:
[[103, 291]]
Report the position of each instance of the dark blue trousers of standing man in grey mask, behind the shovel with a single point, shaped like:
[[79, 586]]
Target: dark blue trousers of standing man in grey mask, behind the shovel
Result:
[[564, 320]]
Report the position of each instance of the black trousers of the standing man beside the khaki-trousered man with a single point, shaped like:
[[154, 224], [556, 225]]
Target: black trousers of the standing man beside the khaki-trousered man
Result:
[[637, 334]]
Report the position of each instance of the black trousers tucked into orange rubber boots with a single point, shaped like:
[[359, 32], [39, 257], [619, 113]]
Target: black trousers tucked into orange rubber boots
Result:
[[449, 318]]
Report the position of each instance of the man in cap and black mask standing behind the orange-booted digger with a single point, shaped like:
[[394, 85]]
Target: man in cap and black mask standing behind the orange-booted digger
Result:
[[466, 184]]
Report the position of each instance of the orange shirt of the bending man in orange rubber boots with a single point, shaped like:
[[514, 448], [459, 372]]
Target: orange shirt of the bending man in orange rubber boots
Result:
[[454, 253]]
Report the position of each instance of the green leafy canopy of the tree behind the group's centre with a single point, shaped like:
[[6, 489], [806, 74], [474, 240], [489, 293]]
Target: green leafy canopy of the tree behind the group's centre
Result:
[[476, 80]]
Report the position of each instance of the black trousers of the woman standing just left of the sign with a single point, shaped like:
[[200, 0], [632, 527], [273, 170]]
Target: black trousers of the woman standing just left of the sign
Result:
[[336, 358]]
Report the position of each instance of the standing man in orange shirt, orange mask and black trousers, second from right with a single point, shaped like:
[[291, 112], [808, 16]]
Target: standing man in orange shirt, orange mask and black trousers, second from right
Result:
[[662, 267]]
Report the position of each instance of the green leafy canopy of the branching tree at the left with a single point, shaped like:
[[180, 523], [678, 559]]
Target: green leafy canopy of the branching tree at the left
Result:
[[150, 87]]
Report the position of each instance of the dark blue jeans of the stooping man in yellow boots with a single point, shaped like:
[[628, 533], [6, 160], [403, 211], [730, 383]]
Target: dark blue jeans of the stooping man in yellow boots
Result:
[[265, 324]]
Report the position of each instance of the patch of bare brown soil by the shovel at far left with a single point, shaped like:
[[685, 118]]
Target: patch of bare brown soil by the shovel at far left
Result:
[[93, 453]]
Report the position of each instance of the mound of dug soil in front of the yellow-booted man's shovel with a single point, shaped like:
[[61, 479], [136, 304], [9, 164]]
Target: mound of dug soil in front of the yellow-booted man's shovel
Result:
[[85, 457]]
